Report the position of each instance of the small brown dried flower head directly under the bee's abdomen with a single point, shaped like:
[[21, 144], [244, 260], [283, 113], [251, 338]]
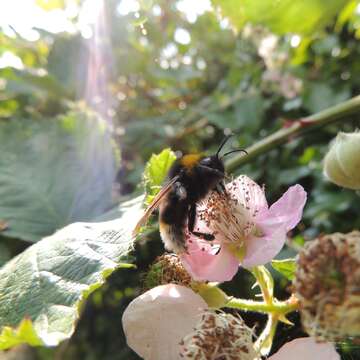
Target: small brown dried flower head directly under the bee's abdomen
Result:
[[167, 269]]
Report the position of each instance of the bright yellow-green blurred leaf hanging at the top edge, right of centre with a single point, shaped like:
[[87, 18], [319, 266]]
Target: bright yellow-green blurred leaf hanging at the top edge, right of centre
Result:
[[282, 16]]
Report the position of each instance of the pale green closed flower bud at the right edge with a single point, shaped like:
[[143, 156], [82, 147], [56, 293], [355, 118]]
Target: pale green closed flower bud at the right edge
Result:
[[342, 162]]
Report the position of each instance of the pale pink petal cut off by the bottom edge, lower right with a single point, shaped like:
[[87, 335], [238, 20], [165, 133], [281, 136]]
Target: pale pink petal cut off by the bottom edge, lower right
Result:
[[306, 349]]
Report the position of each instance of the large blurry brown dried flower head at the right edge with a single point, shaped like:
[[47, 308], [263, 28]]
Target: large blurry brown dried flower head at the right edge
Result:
[[327, 284]]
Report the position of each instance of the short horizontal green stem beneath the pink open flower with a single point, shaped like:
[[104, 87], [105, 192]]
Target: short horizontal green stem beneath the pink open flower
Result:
[[277, 307]]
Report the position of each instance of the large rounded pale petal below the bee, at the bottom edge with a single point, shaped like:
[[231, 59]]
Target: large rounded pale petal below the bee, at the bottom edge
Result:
[[155, 322]]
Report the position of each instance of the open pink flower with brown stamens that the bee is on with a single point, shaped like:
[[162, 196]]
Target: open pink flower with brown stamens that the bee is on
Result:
[[246, 230]]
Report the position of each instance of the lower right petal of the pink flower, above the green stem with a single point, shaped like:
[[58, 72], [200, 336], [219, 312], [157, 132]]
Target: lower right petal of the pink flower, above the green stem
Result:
[[261, 250]]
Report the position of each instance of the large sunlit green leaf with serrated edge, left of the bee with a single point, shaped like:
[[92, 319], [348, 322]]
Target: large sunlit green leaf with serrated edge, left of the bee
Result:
[[50, 280]]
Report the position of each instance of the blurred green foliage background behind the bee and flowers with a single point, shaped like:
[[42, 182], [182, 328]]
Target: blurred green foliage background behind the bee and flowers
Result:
[[160, 77]]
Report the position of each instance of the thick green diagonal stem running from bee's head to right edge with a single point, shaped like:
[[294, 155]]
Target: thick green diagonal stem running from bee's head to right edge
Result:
[[297, 128]]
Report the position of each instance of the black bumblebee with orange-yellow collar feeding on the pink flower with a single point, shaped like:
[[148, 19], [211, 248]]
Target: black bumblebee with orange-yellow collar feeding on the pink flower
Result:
[[190, 179]]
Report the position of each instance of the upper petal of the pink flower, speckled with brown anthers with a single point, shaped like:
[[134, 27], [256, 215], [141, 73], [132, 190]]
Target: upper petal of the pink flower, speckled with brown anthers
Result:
[[248, 193]]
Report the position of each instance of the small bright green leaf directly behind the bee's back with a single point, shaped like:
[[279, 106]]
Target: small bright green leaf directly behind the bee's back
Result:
[[155, 172]]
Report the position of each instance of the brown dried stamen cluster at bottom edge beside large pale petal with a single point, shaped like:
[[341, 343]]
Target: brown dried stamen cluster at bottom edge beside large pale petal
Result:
[[219, 336]]
